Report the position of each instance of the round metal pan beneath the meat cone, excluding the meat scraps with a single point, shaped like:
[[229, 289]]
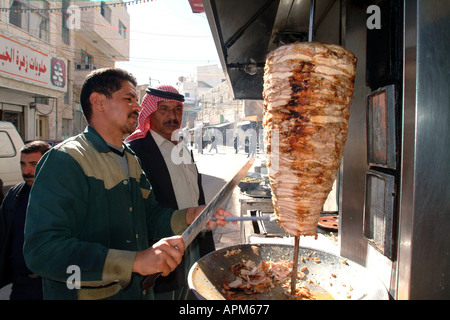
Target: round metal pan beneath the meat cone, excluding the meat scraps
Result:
[[340, 277]]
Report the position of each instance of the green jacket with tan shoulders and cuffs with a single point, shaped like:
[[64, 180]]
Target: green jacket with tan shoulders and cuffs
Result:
[[85, 213]]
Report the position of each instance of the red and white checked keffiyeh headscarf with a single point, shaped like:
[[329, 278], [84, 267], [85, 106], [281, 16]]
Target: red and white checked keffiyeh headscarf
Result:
[[148, 106]]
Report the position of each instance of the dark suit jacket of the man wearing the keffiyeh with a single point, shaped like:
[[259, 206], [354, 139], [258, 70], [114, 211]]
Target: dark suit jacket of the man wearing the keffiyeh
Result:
[[155, 168]]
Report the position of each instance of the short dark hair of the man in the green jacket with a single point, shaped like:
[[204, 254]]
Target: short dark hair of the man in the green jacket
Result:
[[105, 81]]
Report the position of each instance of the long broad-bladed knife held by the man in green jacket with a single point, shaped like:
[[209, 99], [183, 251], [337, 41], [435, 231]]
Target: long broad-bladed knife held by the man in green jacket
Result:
[[202, 219]]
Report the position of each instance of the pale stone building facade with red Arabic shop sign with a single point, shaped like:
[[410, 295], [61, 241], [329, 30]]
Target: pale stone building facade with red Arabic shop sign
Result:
[[46, 50]]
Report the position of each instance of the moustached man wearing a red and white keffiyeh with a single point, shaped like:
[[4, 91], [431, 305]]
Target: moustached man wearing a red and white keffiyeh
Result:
[[176, 184]]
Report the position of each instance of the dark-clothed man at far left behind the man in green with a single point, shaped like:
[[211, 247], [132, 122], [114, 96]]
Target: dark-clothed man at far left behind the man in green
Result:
[[25, 284]]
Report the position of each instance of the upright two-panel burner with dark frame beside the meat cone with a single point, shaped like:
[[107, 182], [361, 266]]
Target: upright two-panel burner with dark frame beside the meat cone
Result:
[[379, 213]]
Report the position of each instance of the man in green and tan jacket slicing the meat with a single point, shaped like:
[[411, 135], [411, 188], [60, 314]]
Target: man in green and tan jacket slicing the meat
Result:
[[92, 214]]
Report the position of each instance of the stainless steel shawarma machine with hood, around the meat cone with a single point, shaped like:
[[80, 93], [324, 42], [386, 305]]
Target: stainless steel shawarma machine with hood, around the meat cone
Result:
[[394, 188]]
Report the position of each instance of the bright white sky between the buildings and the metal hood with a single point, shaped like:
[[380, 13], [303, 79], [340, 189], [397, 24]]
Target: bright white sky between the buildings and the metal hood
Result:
[[167, 41]]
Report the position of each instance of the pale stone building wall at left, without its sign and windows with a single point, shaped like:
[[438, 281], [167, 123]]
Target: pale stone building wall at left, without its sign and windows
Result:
[[18, 94]]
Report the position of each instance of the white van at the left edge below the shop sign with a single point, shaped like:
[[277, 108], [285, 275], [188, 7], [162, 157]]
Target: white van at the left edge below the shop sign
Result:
[[10, 145]]
